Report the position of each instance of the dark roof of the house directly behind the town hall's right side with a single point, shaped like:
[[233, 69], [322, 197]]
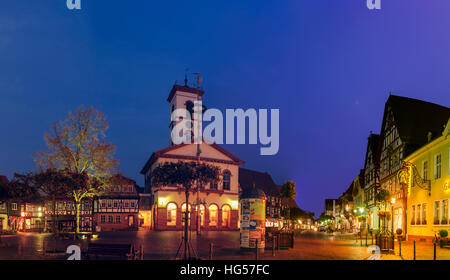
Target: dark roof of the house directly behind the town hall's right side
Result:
[[263, 181]]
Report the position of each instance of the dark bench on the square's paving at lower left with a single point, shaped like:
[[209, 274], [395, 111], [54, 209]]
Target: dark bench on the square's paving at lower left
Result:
[[123, 251]]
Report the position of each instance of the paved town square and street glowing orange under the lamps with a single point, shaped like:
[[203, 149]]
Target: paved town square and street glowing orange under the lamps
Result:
[[163, 245]]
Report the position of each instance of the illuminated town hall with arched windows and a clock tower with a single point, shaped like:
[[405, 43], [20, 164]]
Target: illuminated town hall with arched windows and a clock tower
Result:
[[216, 206]]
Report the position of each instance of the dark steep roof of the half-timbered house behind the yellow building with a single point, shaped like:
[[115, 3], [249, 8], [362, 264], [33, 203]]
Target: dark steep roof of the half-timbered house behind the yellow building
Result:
[[414, 120]]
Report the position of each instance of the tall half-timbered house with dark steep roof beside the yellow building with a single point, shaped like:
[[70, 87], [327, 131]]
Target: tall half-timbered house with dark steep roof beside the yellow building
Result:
[[407, 125]]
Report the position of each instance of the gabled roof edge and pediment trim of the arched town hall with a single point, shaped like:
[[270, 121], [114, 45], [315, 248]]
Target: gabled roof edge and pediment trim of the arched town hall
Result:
[[163, 153]]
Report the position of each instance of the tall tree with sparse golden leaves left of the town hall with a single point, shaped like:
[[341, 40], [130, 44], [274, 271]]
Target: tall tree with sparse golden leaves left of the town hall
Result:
[[77, 145]]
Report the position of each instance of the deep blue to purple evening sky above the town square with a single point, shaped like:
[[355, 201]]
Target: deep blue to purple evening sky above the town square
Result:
[[327, 65]]
